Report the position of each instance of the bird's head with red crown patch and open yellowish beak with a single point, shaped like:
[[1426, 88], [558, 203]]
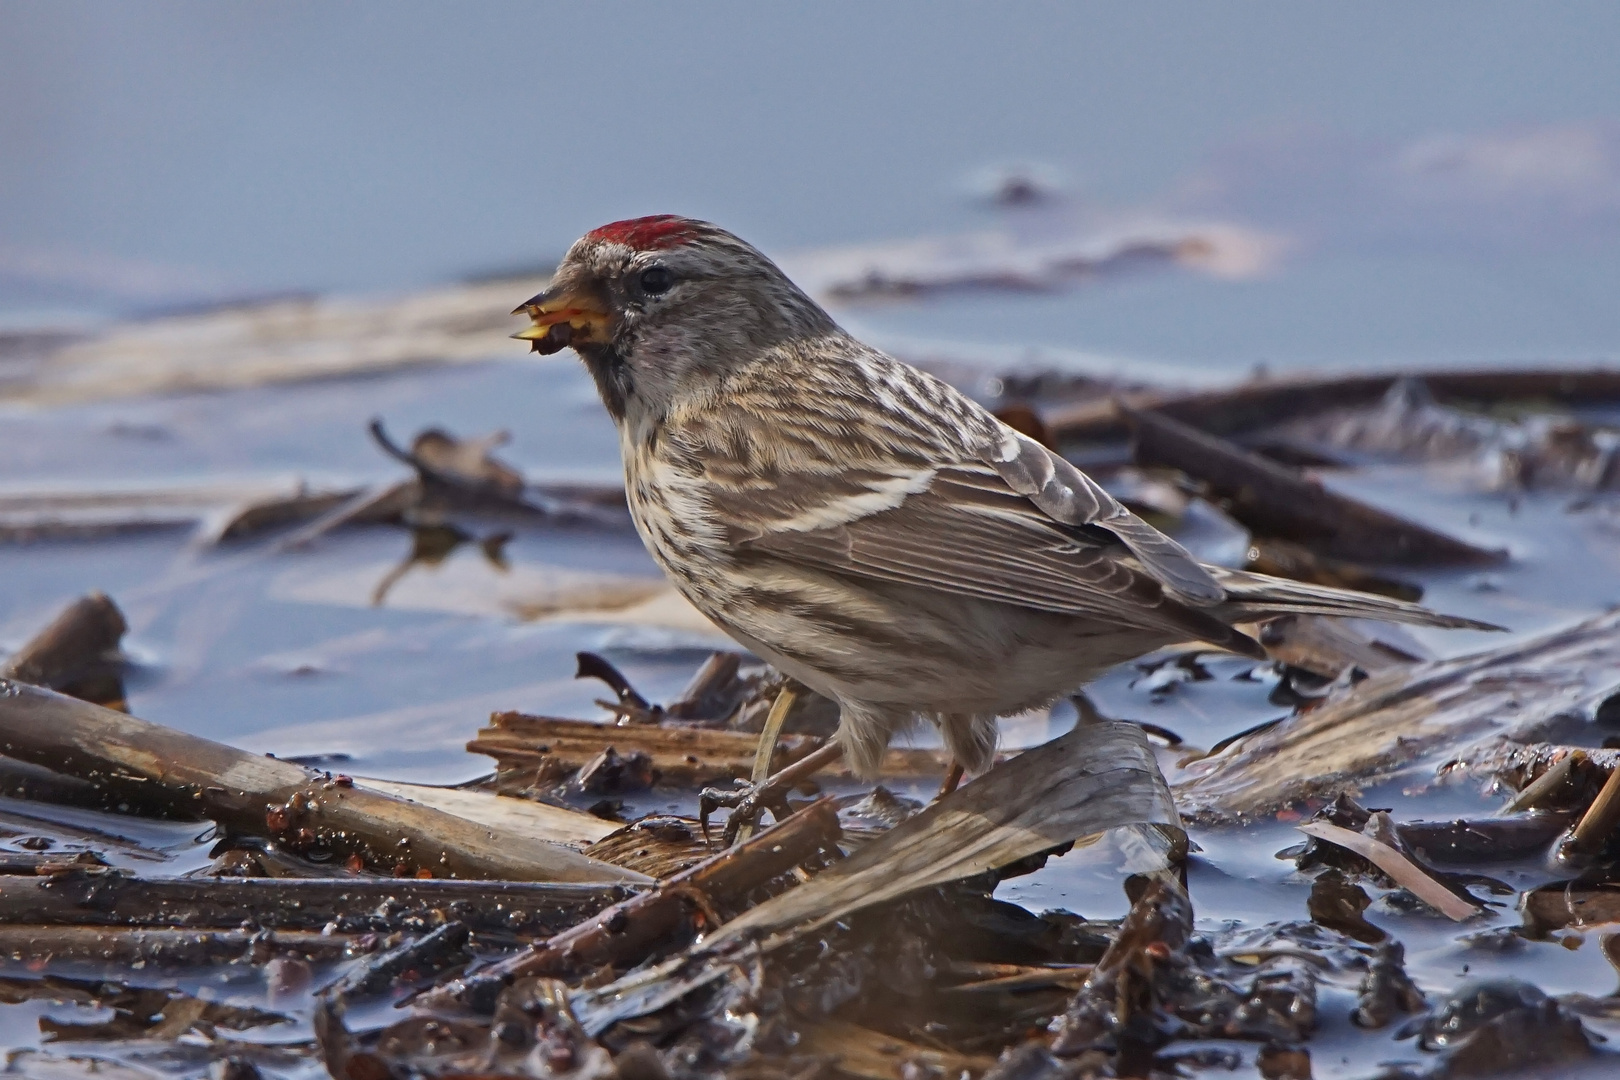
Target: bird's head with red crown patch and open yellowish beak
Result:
[[662, 307]]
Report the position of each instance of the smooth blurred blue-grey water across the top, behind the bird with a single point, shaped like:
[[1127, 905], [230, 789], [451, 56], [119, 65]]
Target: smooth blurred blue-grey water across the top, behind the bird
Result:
[[1459, 159]]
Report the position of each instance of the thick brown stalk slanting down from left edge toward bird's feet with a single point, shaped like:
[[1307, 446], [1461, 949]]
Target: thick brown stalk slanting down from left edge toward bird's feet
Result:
[[260, 796]]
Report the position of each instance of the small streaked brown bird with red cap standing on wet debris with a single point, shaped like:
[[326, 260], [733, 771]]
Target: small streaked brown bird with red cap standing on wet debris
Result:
[[863, 525]]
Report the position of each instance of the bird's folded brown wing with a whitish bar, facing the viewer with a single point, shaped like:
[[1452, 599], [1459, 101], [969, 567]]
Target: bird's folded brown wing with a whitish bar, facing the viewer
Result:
[[963, 529]]
